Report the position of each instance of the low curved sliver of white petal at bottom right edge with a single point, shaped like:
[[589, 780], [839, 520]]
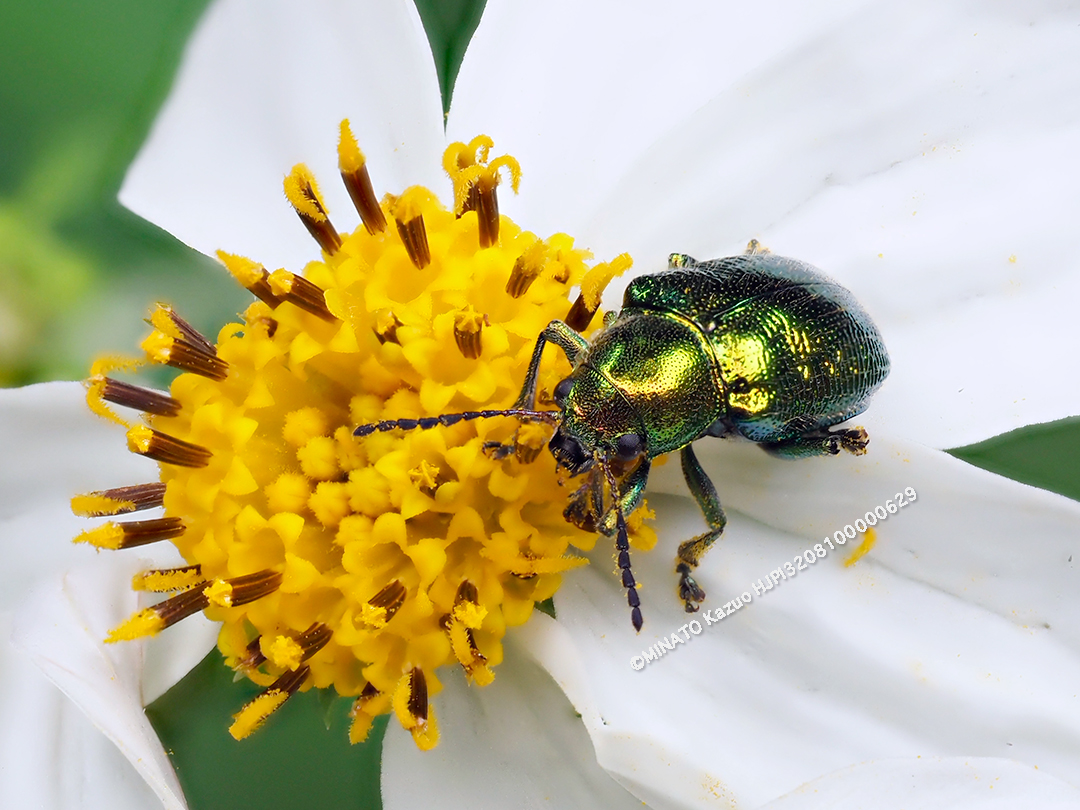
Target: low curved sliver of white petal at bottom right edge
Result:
[[933, 785]]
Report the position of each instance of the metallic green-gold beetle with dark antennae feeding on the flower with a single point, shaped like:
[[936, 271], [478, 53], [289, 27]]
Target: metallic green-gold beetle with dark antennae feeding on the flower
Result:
[[754, 346]]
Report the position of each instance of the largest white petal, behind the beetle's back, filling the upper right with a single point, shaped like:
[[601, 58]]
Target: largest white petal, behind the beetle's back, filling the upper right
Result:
[[922, 154]]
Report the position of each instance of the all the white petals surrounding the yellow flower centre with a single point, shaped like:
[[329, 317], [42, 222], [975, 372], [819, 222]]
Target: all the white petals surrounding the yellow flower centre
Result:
[[922, 155]]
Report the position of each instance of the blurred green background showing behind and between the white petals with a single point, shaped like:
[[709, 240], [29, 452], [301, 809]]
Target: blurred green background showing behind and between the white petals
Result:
[[79, 88]]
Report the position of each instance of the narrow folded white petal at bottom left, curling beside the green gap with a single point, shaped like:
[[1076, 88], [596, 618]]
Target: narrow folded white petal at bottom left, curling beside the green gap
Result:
[[62, 627]]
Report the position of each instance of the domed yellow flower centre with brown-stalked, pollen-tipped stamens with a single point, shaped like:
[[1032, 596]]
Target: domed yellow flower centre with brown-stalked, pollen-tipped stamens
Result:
[[360, 565]]
